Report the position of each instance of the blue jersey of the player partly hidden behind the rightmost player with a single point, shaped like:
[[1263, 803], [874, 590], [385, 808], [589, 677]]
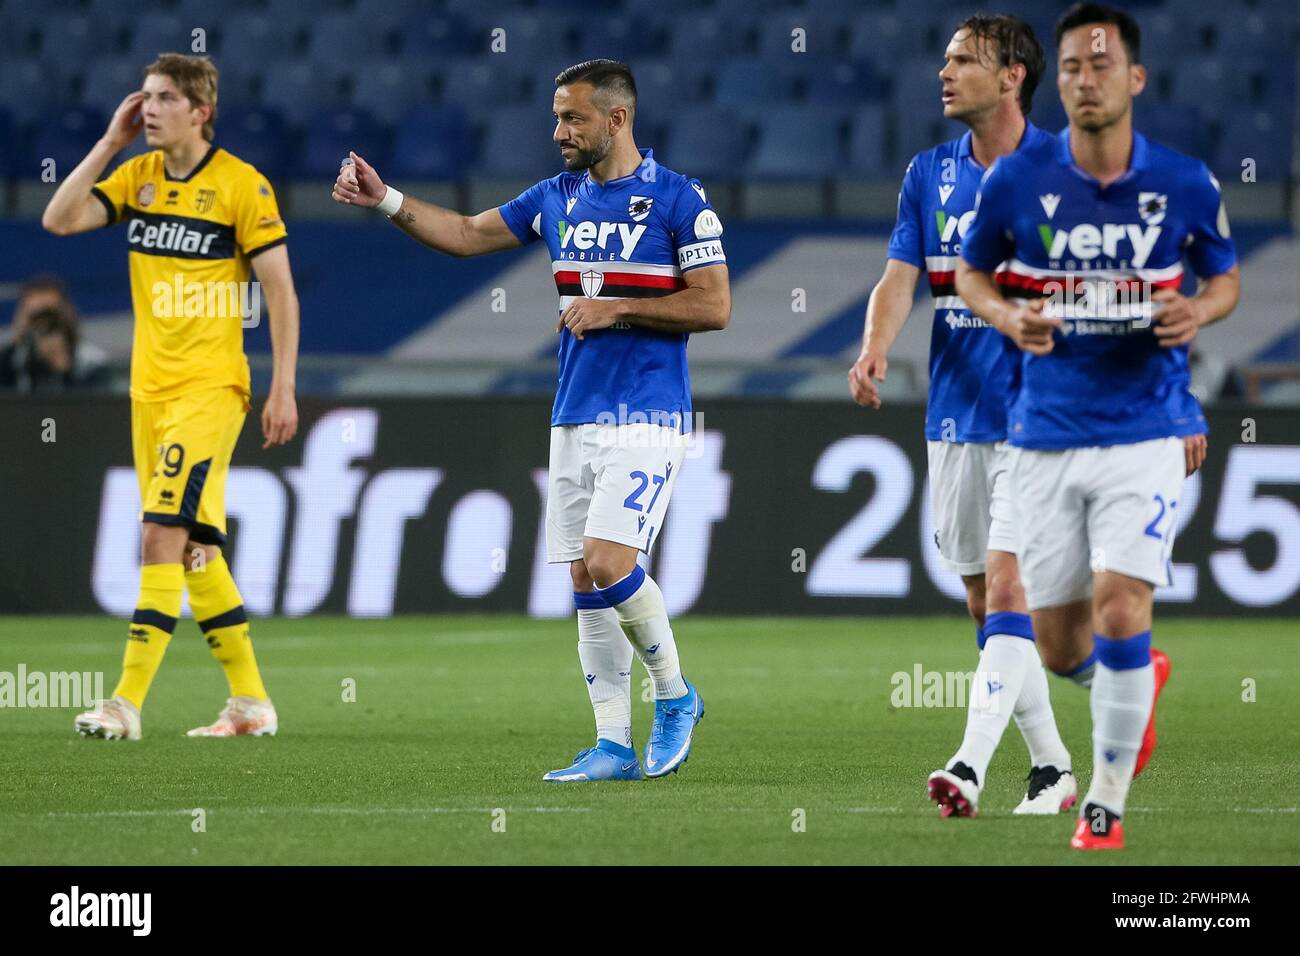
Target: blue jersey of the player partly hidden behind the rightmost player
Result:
[[972, 366]]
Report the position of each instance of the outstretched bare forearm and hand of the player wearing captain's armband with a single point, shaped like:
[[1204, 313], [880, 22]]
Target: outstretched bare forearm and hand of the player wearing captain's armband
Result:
[[437, 228]]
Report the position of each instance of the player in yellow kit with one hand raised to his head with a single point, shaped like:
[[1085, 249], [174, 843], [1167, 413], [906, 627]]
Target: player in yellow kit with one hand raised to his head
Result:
[[196, 220]]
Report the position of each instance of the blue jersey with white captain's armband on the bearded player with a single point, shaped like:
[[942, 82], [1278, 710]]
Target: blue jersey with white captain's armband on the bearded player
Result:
[[631, 237]]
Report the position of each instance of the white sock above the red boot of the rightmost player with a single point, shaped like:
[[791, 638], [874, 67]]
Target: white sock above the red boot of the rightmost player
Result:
[[1121, 708]]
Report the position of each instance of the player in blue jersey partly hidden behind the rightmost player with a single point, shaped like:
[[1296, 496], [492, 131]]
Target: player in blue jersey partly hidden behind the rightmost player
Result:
[[993, 68]]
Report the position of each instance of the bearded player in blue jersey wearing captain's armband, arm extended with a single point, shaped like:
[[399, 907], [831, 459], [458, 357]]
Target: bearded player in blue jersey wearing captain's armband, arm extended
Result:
[[639, 265]]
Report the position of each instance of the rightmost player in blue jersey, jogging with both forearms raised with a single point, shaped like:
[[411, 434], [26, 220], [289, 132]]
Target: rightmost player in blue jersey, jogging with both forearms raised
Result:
[[1094, 227]]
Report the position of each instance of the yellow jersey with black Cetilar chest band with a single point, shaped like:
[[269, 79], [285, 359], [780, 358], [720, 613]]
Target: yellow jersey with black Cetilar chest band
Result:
[[190, 243]]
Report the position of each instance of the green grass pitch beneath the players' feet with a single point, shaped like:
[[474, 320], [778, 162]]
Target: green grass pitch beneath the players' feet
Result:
[[458, 717]]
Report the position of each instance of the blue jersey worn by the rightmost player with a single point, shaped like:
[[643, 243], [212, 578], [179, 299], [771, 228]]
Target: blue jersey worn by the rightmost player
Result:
[[1098, 254]]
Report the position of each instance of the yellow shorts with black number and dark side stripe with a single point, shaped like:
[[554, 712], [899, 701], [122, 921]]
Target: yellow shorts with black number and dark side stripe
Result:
[[183, 456]]
